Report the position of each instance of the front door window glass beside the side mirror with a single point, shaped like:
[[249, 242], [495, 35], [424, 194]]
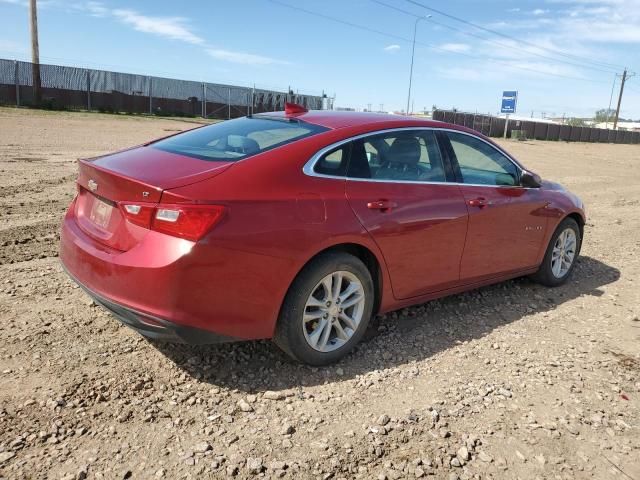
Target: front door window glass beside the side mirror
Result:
[[480, 163]]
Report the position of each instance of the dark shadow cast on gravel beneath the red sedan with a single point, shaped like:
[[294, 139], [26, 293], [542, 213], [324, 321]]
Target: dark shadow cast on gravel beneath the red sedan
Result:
[[411, 334]]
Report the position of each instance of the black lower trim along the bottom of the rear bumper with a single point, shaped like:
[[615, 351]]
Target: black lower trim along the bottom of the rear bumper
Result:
[[153, 327]]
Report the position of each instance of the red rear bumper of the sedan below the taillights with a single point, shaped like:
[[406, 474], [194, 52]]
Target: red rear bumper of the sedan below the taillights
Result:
[[167, 286]]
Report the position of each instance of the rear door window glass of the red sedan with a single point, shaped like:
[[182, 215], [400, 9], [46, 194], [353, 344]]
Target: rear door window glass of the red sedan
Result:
[[410, 156]]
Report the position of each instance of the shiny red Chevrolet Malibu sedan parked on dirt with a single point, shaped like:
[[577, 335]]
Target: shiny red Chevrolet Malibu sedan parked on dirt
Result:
[[300, 226]]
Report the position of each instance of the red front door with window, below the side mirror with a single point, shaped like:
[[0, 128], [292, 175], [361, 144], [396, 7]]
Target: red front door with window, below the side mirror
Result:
[[506, 221]]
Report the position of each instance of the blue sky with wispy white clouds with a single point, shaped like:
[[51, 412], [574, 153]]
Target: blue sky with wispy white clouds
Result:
[[560, 55]]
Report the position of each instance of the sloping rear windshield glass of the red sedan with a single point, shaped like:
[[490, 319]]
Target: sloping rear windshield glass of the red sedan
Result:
[[237, 139]]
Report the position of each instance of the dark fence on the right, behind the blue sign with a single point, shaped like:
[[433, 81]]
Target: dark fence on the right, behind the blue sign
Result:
[[494, 127]]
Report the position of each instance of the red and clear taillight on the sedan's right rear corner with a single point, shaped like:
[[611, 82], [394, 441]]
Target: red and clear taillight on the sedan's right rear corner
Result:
[[186, 221]]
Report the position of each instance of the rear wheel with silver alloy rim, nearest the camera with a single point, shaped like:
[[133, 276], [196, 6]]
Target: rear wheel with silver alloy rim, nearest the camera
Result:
[[312, 327]]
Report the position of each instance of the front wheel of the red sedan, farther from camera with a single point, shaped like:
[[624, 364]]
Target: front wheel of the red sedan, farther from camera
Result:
[[548, 275]]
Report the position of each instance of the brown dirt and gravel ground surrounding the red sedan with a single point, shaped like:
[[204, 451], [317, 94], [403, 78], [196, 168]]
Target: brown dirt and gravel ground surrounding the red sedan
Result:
[[509, 381]]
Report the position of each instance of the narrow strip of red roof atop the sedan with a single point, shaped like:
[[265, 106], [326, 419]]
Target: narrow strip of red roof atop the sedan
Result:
[[340, 119]]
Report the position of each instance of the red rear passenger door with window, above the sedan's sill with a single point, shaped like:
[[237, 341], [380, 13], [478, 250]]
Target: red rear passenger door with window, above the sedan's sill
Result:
[[397, 187]]
